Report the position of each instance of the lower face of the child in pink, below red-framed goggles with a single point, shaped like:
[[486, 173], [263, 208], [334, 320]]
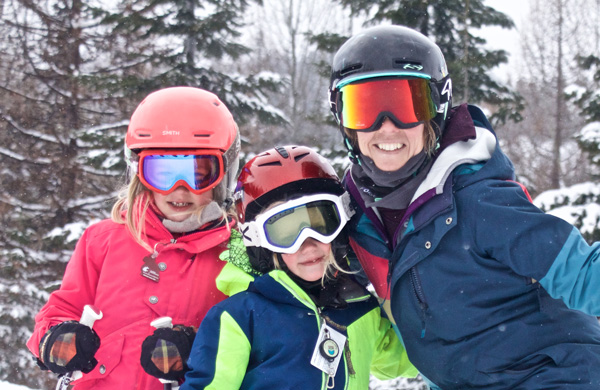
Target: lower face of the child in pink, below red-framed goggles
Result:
[[181, 203]]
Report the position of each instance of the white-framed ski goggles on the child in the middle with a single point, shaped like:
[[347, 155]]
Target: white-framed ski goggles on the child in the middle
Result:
[[283, 228]]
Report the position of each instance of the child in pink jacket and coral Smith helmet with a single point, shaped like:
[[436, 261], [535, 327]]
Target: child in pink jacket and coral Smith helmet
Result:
[[157, 256]]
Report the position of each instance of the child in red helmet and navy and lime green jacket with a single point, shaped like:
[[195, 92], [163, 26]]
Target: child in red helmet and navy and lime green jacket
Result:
[[305, 323]]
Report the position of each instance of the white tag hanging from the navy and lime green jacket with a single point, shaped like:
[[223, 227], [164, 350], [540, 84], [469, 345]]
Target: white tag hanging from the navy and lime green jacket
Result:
[[328, 350]]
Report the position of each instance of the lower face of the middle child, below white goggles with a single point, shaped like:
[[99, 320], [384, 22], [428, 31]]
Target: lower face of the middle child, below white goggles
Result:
[[310, 261]]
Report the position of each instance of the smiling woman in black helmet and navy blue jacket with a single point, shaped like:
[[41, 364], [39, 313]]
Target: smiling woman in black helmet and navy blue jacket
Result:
[[487, 291]]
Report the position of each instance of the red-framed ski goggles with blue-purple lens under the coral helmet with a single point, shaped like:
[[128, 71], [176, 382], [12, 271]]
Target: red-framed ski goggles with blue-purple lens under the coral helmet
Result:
[[164, 170]]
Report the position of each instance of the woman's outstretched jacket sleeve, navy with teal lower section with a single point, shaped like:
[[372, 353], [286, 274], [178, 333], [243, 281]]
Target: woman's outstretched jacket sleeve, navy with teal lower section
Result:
[[510, 229]]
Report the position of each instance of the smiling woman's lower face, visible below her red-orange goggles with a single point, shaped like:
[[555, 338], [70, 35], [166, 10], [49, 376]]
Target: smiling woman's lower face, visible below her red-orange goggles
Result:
[[390, 147]]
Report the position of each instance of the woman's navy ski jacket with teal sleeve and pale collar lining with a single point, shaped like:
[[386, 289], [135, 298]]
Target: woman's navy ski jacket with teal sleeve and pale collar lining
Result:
[[487, 291]]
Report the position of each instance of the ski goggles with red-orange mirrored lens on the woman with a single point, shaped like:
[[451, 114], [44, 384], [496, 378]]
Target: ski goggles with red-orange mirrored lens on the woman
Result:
[[407, 102]]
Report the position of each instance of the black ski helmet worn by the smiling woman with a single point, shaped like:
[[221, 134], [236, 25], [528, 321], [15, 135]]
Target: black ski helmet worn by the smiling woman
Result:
[[391, 51]]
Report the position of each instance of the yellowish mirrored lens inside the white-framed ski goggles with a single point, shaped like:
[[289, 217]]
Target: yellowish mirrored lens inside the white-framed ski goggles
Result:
[[284, 228]]
